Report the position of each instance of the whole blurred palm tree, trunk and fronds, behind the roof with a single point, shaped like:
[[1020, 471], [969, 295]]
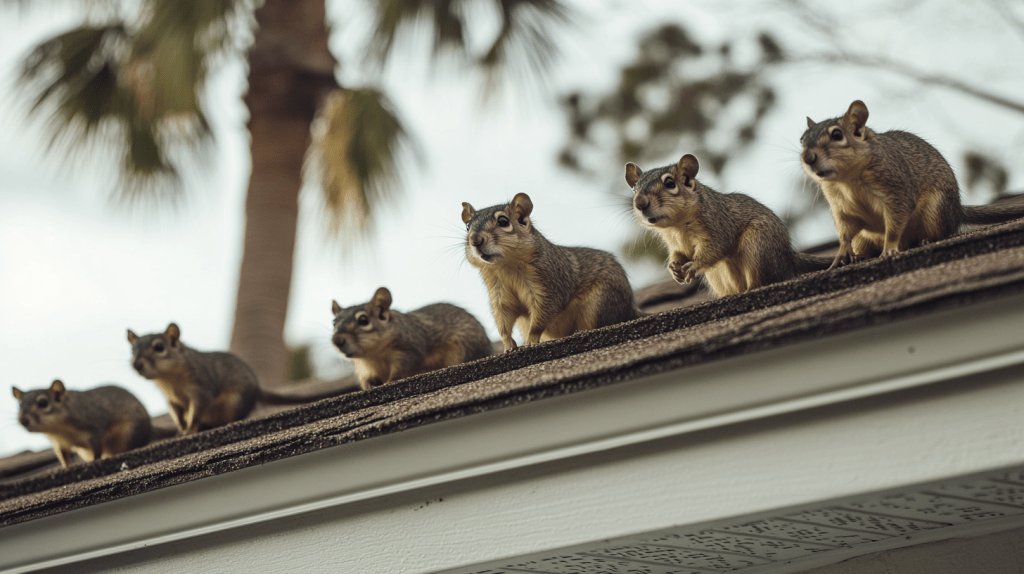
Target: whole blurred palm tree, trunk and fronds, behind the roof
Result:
[[136, 82]]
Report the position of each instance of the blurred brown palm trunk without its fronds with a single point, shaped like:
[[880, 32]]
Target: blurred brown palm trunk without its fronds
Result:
[[290, 71]]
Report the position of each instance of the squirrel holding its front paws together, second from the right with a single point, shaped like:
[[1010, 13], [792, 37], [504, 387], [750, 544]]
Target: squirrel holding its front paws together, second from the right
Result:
[[735, 241]]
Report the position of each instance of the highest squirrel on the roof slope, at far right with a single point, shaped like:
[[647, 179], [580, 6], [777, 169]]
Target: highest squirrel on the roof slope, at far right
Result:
[[888, 192]]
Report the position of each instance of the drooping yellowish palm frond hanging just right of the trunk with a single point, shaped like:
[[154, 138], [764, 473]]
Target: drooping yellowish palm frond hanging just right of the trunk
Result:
[[358, 141]]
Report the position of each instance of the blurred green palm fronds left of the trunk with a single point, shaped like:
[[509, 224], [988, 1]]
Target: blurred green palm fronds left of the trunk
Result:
[[135, 86]]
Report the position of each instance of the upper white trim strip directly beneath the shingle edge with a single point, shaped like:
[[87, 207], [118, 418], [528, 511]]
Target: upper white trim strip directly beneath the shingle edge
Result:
[[870, 362]]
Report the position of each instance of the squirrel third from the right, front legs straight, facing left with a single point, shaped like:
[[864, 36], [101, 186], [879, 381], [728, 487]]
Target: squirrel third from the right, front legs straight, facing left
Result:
[[547, 291]]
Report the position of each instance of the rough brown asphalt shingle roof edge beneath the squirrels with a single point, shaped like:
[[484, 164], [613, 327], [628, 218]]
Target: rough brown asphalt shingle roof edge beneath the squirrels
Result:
[[976, 267]]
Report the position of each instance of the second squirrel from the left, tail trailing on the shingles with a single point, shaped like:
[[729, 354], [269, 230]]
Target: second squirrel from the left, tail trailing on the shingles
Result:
[[203, 389]]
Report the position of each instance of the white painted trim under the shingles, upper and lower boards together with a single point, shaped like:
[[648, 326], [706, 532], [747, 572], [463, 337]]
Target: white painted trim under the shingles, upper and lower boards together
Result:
[[938, 439]]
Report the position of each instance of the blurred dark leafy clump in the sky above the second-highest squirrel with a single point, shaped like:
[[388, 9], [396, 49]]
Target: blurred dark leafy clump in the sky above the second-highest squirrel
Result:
[[676, 97]]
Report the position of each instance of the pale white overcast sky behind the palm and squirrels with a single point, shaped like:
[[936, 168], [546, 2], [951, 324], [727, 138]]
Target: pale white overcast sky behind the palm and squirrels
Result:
[[77, 271]]
